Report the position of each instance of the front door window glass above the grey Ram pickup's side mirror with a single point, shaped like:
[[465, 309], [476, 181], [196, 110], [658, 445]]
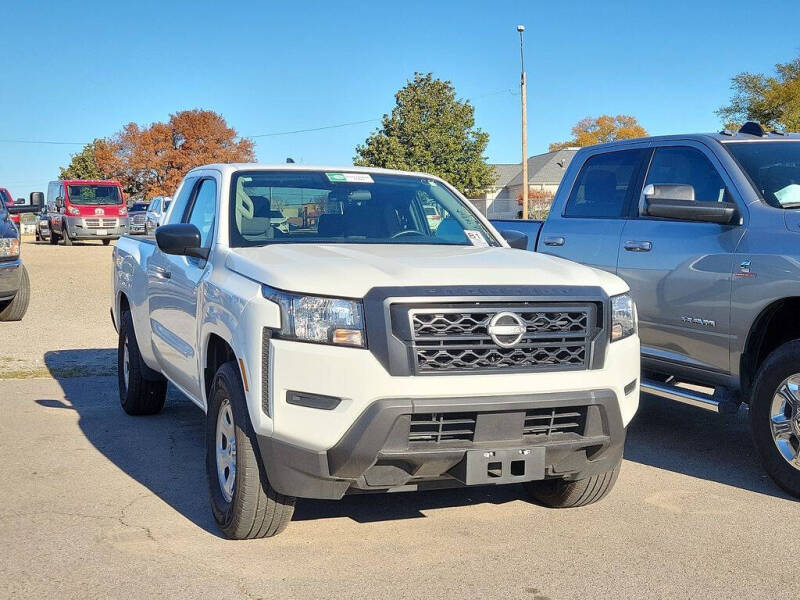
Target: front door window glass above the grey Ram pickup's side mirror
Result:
[[688, 166]]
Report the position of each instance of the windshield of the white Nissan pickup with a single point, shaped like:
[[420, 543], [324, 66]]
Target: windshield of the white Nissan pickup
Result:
[[350, 208]]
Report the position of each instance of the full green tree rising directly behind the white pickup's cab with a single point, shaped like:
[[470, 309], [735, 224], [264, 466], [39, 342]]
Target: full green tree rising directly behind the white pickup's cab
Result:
[[430, 130]]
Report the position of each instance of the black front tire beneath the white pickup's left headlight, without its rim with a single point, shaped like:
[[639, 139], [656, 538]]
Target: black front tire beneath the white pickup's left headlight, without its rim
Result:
[[255, 510]]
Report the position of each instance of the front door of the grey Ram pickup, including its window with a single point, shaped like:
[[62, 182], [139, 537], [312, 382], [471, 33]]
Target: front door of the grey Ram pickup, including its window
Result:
[[680, 272]]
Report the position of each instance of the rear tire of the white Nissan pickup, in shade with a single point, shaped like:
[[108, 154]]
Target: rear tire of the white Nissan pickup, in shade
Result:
[[145, 391]]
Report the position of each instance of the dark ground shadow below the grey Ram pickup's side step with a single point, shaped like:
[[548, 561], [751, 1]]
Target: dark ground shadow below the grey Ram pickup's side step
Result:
[[698, 443]]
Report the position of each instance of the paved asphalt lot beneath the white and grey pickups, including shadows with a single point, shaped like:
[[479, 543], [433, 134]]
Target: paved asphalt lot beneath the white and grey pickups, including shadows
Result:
[[97, 504]]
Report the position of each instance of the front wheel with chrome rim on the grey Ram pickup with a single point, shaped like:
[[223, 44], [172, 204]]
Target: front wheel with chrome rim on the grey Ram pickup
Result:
[[775, 416]]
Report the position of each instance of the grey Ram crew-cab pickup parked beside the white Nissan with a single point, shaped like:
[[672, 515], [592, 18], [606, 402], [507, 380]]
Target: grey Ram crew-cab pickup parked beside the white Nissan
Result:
[[705, 231]]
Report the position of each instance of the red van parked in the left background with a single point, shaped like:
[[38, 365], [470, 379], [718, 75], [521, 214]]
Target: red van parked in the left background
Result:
[[86, 210]]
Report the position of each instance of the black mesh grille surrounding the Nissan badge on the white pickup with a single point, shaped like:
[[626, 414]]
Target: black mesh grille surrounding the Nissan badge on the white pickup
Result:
[[457, 338]]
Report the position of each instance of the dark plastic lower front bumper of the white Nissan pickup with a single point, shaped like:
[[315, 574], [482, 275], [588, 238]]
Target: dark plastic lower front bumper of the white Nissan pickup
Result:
[[376, 455]]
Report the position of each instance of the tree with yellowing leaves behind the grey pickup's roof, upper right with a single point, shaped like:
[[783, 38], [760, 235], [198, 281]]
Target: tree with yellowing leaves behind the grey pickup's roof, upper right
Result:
[[772, 100]]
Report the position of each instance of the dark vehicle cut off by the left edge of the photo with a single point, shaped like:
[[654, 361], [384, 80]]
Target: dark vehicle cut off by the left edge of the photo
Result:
[[14, 284]]
